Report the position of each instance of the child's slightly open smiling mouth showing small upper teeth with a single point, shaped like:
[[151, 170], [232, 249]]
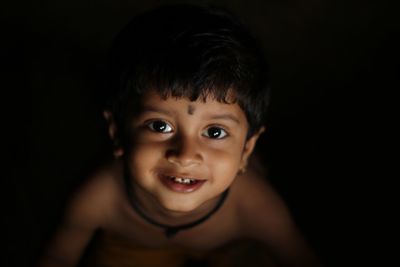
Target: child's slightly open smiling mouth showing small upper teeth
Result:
[[181, 184]]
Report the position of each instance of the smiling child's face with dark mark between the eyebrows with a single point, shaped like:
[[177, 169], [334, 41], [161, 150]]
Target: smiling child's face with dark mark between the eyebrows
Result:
[[175, 140]]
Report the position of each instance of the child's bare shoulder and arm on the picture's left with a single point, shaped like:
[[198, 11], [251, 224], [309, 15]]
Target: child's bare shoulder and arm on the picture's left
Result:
[[85, 212]]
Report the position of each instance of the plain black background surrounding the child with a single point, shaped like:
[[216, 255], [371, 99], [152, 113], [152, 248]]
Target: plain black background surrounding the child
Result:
[[333, 67]]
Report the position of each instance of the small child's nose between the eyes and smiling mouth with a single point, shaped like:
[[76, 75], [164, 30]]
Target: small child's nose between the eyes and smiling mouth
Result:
[[184, 151]]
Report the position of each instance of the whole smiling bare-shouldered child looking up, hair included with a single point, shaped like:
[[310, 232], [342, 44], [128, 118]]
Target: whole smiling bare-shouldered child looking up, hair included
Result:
[[187, 105]]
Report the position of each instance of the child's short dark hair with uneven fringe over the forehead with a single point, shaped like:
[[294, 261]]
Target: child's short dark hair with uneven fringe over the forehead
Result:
[[188, 51]]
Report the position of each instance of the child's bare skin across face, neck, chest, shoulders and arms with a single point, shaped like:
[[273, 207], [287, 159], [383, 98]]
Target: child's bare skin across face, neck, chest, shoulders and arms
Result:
[[201, 140]]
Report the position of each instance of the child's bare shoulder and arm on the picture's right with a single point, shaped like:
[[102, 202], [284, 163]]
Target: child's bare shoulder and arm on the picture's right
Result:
[[266, 218]]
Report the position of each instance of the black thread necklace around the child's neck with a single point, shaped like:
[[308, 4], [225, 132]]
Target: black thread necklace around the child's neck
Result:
[[169, 230]]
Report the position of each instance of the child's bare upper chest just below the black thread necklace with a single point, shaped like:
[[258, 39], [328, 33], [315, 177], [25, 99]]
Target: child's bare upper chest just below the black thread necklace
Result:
[[128, 227]]
